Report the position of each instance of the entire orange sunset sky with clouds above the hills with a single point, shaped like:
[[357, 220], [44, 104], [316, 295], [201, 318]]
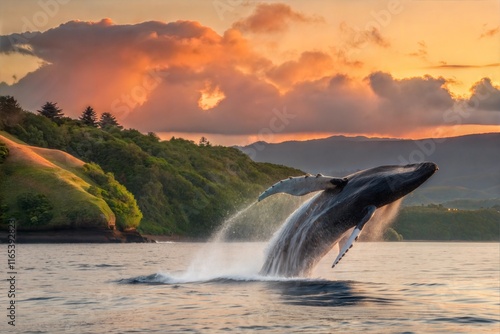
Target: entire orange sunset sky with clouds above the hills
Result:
[[240, 71]]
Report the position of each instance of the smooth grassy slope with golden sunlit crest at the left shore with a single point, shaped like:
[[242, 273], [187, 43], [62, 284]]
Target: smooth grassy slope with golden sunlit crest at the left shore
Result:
[[53, 173]]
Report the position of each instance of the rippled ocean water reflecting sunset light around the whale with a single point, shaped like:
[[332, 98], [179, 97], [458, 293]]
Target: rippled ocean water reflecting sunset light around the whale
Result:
[[401, 287]]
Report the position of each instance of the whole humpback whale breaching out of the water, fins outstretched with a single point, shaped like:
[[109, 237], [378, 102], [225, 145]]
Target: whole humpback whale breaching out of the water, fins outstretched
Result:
[[341, 204]]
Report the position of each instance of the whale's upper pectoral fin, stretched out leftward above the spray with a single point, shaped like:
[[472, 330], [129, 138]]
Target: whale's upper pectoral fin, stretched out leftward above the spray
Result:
[[302, 185]]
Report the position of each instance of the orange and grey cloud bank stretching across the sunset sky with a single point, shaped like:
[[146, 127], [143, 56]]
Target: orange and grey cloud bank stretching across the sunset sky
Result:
[[184, 77]]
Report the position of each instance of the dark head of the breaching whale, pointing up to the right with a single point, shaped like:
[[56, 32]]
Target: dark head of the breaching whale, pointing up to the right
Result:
[[385, 184]]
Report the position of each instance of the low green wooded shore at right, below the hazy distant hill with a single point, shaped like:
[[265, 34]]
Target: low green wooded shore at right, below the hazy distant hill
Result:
[[435, 222]]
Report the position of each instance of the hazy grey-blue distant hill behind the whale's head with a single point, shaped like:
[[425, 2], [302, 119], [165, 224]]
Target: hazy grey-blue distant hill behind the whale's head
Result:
[[469, 166]]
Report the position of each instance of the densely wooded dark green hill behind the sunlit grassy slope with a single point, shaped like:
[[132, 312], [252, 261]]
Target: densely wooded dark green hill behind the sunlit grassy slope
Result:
[[180, 187]]
